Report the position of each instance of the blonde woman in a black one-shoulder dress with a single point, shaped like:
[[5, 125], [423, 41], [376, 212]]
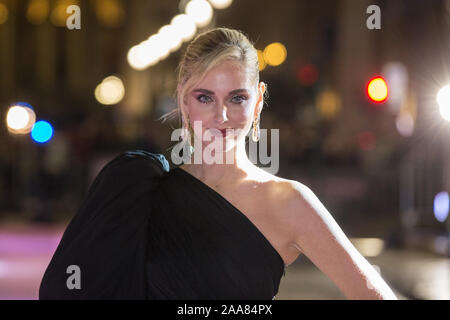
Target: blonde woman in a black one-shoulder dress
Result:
[[206, 229]]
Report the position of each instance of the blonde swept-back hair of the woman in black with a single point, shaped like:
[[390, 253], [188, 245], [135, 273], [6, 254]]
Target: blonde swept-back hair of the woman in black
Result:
[[203, 53]]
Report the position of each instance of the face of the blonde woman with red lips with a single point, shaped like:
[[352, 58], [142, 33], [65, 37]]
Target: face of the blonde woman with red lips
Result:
[[226, 98]]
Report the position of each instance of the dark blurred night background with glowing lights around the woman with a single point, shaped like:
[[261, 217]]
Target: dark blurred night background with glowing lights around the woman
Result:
[[72, 99]]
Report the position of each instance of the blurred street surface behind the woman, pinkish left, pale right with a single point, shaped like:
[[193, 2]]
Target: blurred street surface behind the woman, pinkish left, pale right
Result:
[[25, 251]]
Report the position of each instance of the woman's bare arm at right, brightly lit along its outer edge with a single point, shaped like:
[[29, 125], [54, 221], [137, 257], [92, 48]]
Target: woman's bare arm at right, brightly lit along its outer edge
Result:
[[321, 239]]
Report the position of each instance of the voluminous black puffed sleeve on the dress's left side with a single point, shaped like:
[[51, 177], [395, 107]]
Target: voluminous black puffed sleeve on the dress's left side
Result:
[[102, 252]]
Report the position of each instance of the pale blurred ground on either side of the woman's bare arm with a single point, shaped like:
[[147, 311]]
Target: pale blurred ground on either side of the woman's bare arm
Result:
[[415, 275]]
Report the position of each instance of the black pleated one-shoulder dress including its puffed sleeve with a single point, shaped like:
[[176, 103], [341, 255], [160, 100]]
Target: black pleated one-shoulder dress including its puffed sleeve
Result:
[[147, 232]]
